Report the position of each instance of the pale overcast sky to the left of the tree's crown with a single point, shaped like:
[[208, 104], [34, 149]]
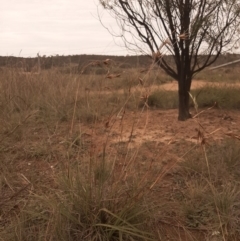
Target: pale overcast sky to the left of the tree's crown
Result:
[[53, 27]]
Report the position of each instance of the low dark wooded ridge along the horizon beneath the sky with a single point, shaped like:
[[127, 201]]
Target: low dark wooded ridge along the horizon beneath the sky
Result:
[[79, 61]]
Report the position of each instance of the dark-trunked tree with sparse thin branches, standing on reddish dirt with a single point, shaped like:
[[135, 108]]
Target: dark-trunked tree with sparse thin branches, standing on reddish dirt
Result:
[[194, 32]]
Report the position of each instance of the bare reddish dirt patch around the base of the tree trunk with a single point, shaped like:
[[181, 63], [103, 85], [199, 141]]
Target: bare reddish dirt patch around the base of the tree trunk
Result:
[[162, 126]]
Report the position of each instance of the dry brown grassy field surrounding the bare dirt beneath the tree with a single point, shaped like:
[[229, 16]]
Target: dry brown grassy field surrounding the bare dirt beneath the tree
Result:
[[63, 178]]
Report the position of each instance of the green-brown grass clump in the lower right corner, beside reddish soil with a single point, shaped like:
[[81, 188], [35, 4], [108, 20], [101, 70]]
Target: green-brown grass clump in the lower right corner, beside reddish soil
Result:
[[212, 193]]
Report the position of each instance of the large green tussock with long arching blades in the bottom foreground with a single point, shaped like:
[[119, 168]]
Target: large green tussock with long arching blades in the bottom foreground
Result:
[[91, 203]]
